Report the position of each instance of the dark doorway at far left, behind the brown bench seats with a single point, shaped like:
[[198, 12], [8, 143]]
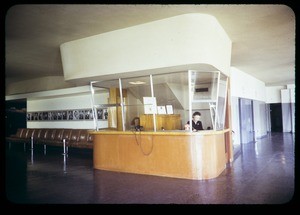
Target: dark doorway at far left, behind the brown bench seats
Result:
[[15, 116]]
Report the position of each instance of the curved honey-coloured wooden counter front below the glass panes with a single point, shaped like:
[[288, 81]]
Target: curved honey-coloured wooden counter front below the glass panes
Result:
[[178, 154]]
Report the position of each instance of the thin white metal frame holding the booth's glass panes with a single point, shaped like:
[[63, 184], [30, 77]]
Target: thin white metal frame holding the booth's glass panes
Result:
[[217, 110]]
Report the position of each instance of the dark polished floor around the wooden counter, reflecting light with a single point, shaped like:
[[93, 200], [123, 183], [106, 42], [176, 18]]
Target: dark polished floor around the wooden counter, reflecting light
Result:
[[261, 173]]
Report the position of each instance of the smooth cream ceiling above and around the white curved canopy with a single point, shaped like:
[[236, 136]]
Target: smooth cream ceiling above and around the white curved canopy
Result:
[[263, 36]]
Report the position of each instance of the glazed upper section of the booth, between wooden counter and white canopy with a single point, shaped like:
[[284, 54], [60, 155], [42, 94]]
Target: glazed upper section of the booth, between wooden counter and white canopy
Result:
[[164, 101]]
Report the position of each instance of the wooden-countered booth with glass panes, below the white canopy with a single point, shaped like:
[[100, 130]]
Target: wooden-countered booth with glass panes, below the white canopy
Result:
[[146, 118]]
